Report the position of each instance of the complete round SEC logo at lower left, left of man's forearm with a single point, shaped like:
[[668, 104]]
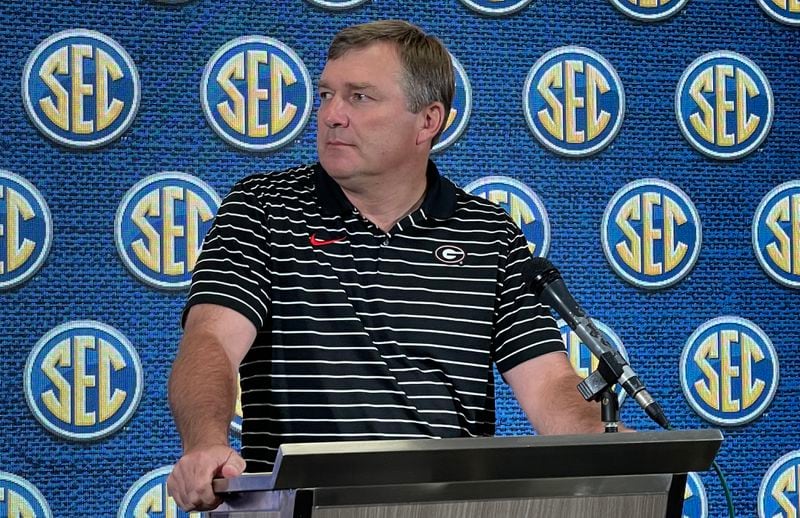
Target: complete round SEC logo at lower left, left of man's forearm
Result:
[[83, 380]]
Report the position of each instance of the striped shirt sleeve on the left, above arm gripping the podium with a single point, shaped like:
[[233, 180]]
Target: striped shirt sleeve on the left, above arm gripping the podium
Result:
[[232, 269]]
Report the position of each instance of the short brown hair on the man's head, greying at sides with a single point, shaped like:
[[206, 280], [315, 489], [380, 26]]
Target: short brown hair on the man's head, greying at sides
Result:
[[428, 70]]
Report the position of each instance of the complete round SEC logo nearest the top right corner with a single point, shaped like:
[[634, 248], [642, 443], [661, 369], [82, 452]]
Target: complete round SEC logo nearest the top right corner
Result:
[[724, 105]]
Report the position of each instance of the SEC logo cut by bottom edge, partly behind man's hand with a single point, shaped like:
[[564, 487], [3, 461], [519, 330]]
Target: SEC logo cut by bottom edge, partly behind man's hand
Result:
[[148, 497]]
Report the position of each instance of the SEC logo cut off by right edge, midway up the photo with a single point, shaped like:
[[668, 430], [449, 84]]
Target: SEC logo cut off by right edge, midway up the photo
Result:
[[776, 234]]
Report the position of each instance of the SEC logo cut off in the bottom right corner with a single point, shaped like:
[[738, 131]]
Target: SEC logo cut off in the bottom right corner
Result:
[[779, 492]]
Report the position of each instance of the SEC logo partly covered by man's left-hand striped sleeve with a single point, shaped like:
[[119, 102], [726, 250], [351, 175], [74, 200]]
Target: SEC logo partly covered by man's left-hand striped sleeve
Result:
[[160, 226]]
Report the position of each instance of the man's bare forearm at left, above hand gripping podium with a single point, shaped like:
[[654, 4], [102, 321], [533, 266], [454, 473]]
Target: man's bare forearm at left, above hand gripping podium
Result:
[[202, 392]]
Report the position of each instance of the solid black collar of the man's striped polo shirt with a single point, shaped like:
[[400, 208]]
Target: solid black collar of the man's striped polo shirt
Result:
[[439, 202]]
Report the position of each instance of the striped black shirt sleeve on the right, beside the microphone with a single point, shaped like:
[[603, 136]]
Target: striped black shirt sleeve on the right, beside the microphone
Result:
[[524, 328]]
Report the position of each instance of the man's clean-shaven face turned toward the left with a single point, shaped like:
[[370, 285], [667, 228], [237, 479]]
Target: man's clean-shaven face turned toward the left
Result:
[[364, 126]]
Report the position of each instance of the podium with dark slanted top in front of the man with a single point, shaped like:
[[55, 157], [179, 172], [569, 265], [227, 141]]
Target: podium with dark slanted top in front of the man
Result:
[[624, 475]]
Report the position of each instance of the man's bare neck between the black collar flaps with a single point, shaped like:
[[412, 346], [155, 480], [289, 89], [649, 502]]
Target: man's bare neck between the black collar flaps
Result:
[[386, 200]]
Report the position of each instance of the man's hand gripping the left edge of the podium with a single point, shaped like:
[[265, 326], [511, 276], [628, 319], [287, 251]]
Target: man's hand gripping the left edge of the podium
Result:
[[190, 481]]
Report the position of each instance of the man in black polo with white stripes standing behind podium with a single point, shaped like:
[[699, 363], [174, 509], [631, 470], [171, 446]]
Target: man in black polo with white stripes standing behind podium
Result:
[[364, 297]]
